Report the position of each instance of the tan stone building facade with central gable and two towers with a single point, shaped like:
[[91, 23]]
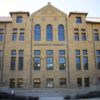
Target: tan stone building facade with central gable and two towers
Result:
[[49, 49]]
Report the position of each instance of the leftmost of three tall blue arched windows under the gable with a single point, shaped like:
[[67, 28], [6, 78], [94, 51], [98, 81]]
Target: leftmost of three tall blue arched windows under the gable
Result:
[[37, 32]]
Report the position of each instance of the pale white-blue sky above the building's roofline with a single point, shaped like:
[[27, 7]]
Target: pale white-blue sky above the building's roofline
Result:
[[92, 7]]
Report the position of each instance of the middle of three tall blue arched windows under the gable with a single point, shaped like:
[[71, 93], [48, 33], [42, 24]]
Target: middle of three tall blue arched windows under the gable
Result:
[[49, 33]]
